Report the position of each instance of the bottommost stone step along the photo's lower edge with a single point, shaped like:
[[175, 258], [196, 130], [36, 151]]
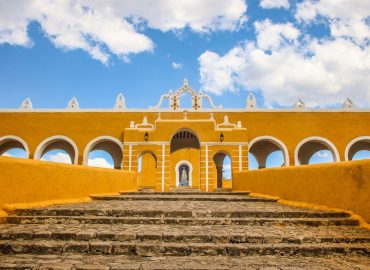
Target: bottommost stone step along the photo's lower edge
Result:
[[99, 262]]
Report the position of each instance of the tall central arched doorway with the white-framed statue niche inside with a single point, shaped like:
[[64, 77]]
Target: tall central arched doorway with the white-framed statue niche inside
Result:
[[185, 159]]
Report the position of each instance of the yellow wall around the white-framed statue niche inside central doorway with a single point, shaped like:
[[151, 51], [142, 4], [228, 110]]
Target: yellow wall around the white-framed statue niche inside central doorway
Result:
[[189, 154]]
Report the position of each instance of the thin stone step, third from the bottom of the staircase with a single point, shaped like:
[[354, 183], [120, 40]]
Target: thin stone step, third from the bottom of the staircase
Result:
[[180, 221]]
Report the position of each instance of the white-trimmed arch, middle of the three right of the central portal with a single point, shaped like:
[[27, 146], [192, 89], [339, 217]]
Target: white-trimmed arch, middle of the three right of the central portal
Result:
[[309, 146]]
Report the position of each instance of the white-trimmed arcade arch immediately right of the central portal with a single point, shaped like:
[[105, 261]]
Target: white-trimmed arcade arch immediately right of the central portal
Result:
[[261, 147]]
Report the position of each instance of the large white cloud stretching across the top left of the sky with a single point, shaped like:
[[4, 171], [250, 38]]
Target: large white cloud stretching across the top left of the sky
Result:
[[106, 28]]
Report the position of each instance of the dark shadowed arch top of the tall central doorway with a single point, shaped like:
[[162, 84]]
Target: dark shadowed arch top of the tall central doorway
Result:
[[184, 138]]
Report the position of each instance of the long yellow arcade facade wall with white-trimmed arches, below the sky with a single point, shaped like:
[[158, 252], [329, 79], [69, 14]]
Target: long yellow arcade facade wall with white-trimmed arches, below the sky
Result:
[[289, 127]]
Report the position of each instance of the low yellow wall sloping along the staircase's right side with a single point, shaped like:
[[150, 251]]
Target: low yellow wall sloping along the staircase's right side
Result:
[[344, 185]]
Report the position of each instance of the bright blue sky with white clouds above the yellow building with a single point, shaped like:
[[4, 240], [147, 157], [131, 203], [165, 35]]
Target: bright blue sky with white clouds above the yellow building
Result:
[[282, 50]]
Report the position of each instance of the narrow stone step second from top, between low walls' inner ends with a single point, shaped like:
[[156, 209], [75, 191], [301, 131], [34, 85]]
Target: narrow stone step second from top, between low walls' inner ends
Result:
[[220, 198]]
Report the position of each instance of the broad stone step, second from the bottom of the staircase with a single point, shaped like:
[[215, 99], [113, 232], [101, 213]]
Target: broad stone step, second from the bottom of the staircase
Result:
[[177, 234]]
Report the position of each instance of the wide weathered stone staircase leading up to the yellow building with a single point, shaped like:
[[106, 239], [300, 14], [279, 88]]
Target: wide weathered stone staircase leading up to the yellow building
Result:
[[182, 230]]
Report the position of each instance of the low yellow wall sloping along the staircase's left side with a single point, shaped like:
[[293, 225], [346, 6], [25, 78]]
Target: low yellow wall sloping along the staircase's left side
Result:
[[31, 182]]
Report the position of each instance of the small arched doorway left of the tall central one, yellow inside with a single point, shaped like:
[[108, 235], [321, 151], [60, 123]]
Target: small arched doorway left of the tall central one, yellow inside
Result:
[[147, 170]]
